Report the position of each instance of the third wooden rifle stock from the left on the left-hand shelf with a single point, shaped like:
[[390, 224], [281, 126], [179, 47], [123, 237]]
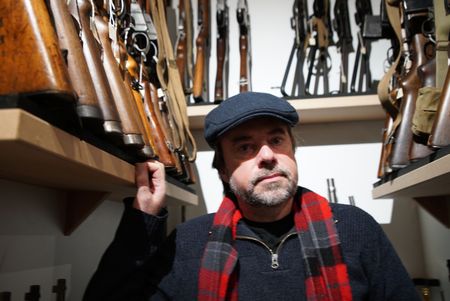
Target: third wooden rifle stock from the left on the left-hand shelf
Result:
[[81, 10]]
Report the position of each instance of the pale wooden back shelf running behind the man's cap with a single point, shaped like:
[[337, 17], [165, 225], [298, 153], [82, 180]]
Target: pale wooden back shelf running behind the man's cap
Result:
[[314, 110]]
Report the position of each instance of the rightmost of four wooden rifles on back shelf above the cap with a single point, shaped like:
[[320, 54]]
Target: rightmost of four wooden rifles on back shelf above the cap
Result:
[[243, 18]]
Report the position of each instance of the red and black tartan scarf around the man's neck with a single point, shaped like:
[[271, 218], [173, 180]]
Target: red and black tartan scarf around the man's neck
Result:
[[326, 275]]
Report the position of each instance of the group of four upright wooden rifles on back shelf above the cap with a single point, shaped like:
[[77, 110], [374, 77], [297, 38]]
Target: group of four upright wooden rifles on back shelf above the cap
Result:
[[195, 75]]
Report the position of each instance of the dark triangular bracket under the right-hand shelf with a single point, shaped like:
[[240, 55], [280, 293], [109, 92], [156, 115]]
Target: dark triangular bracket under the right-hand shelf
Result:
[[438, 206]]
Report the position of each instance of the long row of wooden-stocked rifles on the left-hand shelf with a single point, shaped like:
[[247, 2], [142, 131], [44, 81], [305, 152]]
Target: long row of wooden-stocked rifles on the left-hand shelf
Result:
[[111, 62]]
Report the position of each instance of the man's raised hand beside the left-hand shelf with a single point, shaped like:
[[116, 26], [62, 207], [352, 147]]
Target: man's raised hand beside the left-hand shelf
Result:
[[151, 187]]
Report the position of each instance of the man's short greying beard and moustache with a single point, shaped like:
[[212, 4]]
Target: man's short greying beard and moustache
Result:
[[266, 195]]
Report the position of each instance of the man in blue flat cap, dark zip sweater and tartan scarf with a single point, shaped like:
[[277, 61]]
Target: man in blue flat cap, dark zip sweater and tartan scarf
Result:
[[269, 240]]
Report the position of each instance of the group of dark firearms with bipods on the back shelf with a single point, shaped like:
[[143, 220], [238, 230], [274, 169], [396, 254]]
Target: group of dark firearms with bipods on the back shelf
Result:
[[313, 41]]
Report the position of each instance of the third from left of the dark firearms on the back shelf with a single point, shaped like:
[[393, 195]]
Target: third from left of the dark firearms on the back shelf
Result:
[[344, 43]]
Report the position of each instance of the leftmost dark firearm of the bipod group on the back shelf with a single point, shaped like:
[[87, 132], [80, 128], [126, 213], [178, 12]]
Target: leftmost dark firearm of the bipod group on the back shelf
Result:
[[299, 24]]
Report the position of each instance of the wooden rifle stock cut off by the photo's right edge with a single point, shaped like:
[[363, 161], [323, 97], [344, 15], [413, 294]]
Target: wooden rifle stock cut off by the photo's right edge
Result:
[[440, 133]]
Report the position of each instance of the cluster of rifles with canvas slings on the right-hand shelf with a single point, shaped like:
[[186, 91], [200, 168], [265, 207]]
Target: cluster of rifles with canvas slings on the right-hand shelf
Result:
[[415, 92]]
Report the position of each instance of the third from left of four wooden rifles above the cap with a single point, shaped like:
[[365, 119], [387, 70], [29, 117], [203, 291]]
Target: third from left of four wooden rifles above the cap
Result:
[[221, 85]]
